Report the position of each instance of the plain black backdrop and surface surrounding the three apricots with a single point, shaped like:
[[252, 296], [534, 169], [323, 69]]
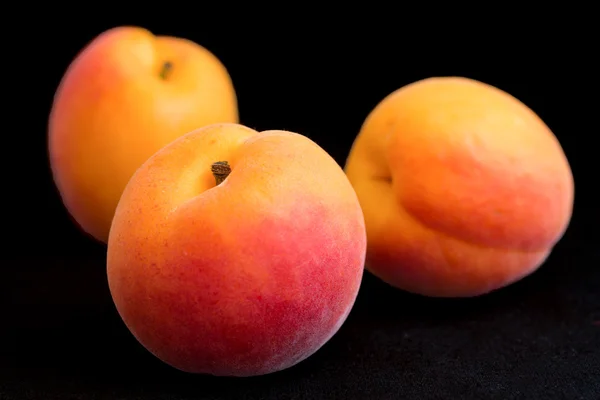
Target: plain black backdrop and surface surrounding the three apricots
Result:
[[61, 337]]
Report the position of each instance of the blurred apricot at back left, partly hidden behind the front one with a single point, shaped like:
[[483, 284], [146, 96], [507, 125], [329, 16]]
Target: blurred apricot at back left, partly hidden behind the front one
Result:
[[126, 95]]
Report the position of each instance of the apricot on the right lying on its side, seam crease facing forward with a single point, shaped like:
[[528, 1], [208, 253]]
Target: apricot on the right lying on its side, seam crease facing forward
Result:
[[464, 189]]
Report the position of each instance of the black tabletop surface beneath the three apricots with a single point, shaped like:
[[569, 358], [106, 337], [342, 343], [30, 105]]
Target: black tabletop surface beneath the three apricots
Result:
[[537, 339]]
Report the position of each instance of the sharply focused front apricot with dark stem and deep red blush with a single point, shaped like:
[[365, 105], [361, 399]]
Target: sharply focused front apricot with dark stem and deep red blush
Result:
[[234, 252]]
